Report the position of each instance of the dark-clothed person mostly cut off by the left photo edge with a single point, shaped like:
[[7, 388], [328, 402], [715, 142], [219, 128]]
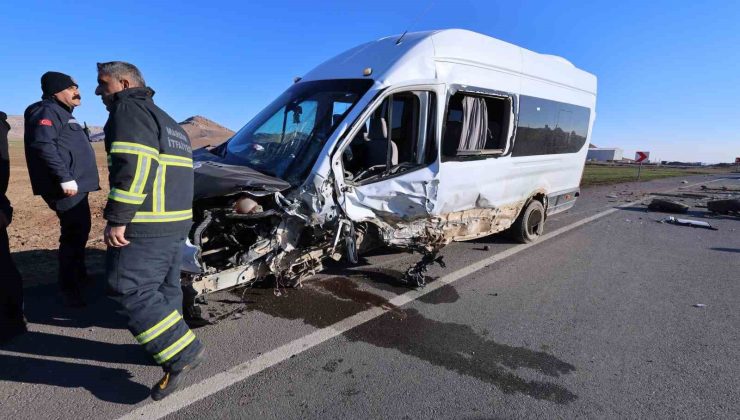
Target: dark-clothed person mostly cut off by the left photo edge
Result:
[[12, 322]]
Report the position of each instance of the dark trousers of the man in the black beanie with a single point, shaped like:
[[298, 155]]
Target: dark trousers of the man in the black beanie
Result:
[[74, 218]]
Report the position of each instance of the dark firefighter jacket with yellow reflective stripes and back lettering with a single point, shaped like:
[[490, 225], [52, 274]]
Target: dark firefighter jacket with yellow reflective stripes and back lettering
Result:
[[151, 167]]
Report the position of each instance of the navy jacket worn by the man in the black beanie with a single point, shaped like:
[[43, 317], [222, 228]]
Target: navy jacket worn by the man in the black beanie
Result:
[[57, 150]]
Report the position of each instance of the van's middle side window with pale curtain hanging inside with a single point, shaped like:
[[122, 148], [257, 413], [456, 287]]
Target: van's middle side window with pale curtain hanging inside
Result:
[[476, 125]]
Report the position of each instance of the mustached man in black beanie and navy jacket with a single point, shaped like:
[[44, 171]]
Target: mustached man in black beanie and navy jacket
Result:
[[62, 168]]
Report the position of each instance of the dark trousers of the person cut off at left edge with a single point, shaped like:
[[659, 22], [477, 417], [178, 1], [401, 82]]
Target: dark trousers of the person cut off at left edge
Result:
[[11, 286]]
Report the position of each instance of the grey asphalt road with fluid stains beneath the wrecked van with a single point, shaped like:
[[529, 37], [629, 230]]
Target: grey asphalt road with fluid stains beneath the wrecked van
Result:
[[596, 321]]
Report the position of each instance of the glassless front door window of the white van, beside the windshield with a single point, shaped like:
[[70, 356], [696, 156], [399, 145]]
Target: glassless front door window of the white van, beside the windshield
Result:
[[398, 136]]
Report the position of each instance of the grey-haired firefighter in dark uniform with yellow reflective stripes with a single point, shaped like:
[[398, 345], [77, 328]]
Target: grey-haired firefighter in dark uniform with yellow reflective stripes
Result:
[[149, 213]]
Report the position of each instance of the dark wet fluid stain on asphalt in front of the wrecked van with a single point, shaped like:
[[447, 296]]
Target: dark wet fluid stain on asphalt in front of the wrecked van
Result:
[[455, 347]]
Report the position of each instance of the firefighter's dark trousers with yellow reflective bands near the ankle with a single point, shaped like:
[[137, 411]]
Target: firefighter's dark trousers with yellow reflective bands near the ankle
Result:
[[144, 278]]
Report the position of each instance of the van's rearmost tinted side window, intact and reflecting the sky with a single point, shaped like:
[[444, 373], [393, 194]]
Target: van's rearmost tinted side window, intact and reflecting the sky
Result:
[[548, 127]]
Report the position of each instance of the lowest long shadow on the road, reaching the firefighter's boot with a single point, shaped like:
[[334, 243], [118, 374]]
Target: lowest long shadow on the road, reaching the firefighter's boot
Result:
[[107, 384]]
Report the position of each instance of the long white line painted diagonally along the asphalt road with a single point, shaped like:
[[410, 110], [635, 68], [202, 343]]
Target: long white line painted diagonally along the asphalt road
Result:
[[223, 380]]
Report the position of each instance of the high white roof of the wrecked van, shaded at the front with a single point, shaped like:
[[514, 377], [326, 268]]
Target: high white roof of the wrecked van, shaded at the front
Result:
[[418, 54]]
